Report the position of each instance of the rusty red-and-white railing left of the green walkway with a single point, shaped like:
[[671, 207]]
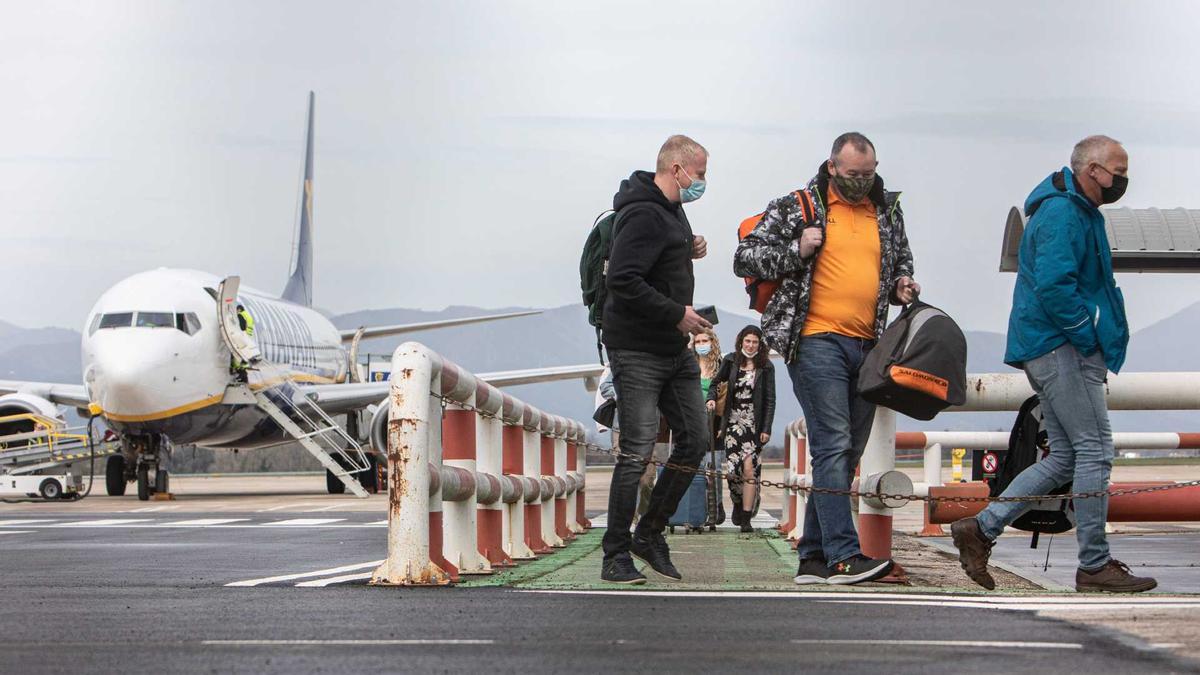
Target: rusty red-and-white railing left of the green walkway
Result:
[[488, 482]]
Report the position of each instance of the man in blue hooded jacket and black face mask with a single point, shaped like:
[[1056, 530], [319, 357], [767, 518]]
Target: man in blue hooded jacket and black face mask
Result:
[[1067, 330]]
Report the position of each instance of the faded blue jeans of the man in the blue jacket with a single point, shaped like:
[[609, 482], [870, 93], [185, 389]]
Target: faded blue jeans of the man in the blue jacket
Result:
[[1071, 389]]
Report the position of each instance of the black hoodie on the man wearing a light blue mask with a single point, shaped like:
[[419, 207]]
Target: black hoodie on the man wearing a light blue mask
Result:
[[650, 271]]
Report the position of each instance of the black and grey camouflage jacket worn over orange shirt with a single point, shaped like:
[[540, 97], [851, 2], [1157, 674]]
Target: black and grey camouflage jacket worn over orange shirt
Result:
[[773, 252]]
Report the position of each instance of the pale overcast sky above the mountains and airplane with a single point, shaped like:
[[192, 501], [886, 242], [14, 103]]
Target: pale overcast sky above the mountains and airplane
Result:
[[464, 150]]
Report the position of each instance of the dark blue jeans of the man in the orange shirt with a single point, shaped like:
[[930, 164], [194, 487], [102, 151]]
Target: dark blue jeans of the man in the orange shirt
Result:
[[825, 377]]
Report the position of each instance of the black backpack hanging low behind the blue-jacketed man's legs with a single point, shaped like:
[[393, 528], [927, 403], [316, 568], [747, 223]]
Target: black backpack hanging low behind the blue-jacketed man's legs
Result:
[[1028, 445]]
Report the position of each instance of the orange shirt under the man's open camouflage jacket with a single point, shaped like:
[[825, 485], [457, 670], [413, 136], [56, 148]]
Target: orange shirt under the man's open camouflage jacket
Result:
[[847, 280]]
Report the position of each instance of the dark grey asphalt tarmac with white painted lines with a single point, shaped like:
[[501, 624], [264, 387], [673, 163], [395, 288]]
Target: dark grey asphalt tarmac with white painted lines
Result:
[[281, 592]]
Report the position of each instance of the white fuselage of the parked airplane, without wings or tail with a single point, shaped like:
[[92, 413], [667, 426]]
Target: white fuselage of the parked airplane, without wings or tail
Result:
[[154, 360]]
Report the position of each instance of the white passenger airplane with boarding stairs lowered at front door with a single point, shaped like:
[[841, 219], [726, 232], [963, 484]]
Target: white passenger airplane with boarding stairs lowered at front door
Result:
[[166, 362]]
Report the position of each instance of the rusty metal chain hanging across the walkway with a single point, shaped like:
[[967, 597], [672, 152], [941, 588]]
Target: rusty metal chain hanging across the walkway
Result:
[[812, 489]]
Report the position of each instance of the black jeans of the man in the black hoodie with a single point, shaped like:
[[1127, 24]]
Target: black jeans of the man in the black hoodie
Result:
[[647, 384]]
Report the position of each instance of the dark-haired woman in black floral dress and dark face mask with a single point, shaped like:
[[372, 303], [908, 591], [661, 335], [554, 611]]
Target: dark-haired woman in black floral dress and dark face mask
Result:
[[749, 414]]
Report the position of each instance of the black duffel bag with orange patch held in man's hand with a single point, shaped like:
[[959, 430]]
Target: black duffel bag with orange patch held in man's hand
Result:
[[920, 367]]
